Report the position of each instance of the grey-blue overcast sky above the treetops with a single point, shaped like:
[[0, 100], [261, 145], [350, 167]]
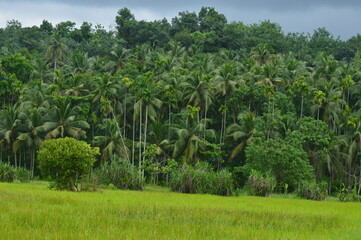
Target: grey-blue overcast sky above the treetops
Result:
[[340, 17]]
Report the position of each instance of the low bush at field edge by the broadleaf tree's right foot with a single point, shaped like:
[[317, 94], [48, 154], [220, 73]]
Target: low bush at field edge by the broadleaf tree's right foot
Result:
[[313, 191]]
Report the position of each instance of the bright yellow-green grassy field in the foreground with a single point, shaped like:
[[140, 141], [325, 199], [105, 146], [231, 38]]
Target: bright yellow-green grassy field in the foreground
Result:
[[32, 211]]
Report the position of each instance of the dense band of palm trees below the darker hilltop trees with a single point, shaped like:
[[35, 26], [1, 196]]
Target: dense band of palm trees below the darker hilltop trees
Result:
[[180, 99]]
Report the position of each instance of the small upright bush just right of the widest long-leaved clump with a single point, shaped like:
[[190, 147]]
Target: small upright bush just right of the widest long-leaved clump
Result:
[[260, 185]]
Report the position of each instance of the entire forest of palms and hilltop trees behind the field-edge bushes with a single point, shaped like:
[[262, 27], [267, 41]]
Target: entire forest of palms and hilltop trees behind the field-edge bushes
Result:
[[199, 89]]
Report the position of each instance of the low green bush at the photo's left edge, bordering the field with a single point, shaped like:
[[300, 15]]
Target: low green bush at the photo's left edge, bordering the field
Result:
[[9, 173]]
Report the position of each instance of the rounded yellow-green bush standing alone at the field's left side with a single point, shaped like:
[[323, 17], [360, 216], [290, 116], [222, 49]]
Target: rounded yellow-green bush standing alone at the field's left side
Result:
[[65, 161]]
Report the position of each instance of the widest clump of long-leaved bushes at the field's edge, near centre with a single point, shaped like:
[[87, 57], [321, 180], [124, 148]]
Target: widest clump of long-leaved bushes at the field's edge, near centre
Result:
[[202, 179]]
